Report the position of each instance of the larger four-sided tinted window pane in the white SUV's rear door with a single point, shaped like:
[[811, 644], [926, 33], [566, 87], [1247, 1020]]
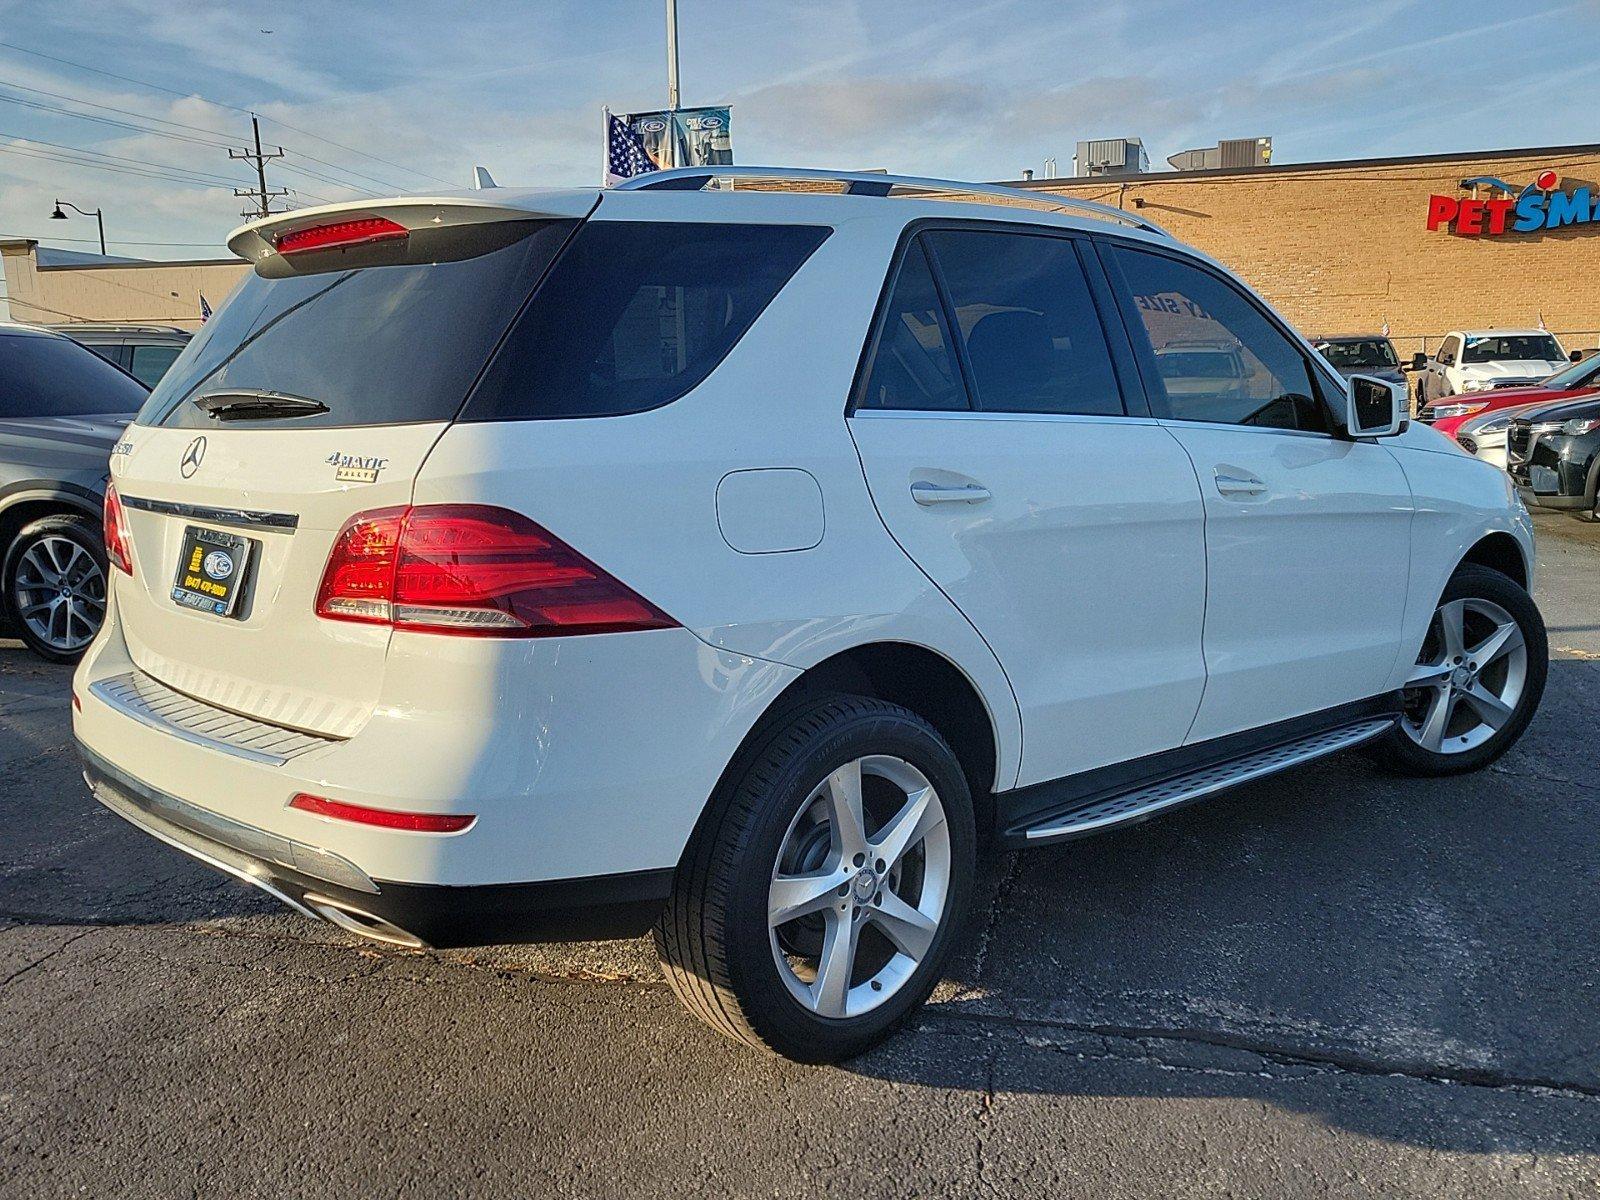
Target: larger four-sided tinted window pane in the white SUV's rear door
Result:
[[1028, 322]]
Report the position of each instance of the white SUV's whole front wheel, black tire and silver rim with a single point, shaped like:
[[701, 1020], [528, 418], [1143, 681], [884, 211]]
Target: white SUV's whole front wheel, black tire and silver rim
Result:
[[1478, 679]]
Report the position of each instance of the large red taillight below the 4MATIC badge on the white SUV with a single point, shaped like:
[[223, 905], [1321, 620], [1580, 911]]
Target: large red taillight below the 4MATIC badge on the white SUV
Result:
[[468, 569]]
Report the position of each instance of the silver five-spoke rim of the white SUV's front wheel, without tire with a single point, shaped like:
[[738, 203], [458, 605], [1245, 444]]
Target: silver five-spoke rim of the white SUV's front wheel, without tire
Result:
[[1470, 678]]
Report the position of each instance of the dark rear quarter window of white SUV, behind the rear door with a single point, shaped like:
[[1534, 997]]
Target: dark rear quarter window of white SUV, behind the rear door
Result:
[[638, 314]]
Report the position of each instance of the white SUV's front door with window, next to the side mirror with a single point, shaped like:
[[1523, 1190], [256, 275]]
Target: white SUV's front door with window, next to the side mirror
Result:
[[1308, 532]]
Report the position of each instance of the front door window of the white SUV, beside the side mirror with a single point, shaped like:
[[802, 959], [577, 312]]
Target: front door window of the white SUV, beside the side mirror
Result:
[[1215, 356]]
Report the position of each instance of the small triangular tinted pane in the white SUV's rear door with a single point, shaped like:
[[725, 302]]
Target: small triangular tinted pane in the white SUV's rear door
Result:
[[913, 366]]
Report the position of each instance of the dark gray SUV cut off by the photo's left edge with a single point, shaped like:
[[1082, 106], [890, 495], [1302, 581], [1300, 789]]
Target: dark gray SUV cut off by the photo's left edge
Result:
[[62, 412]]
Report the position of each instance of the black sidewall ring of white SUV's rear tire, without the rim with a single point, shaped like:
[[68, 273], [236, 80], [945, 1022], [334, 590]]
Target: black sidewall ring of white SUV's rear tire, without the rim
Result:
[[774, 1012]]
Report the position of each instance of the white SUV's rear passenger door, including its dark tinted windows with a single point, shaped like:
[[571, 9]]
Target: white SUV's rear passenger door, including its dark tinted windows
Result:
[[999, 452]]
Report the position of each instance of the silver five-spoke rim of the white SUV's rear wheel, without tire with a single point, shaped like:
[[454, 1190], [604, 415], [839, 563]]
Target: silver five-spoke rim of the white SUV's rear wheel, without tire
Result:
[[860, 887]]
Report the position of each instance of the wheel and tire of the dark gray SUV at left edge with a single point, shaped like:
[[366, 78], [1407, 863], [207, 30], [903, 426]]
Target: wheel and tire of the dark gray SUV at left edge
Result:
[[55, 586]]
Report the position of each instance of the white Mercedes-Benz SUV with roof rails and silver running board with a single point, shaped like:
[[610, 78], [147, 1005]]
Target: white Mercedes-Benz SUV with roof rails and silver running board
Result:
[[738, 556]]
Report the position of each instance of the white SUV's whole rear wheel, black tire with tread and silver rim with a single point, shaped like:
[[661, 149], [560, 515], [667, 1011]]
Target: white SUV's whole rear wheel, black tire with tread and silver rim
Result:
[[818, 902]]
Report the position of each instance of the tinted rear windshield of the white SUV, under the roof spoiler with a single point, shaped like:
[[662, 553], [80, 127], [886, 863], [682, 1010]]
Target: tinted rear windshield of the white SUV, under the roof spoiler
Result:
[[382, 345]]
